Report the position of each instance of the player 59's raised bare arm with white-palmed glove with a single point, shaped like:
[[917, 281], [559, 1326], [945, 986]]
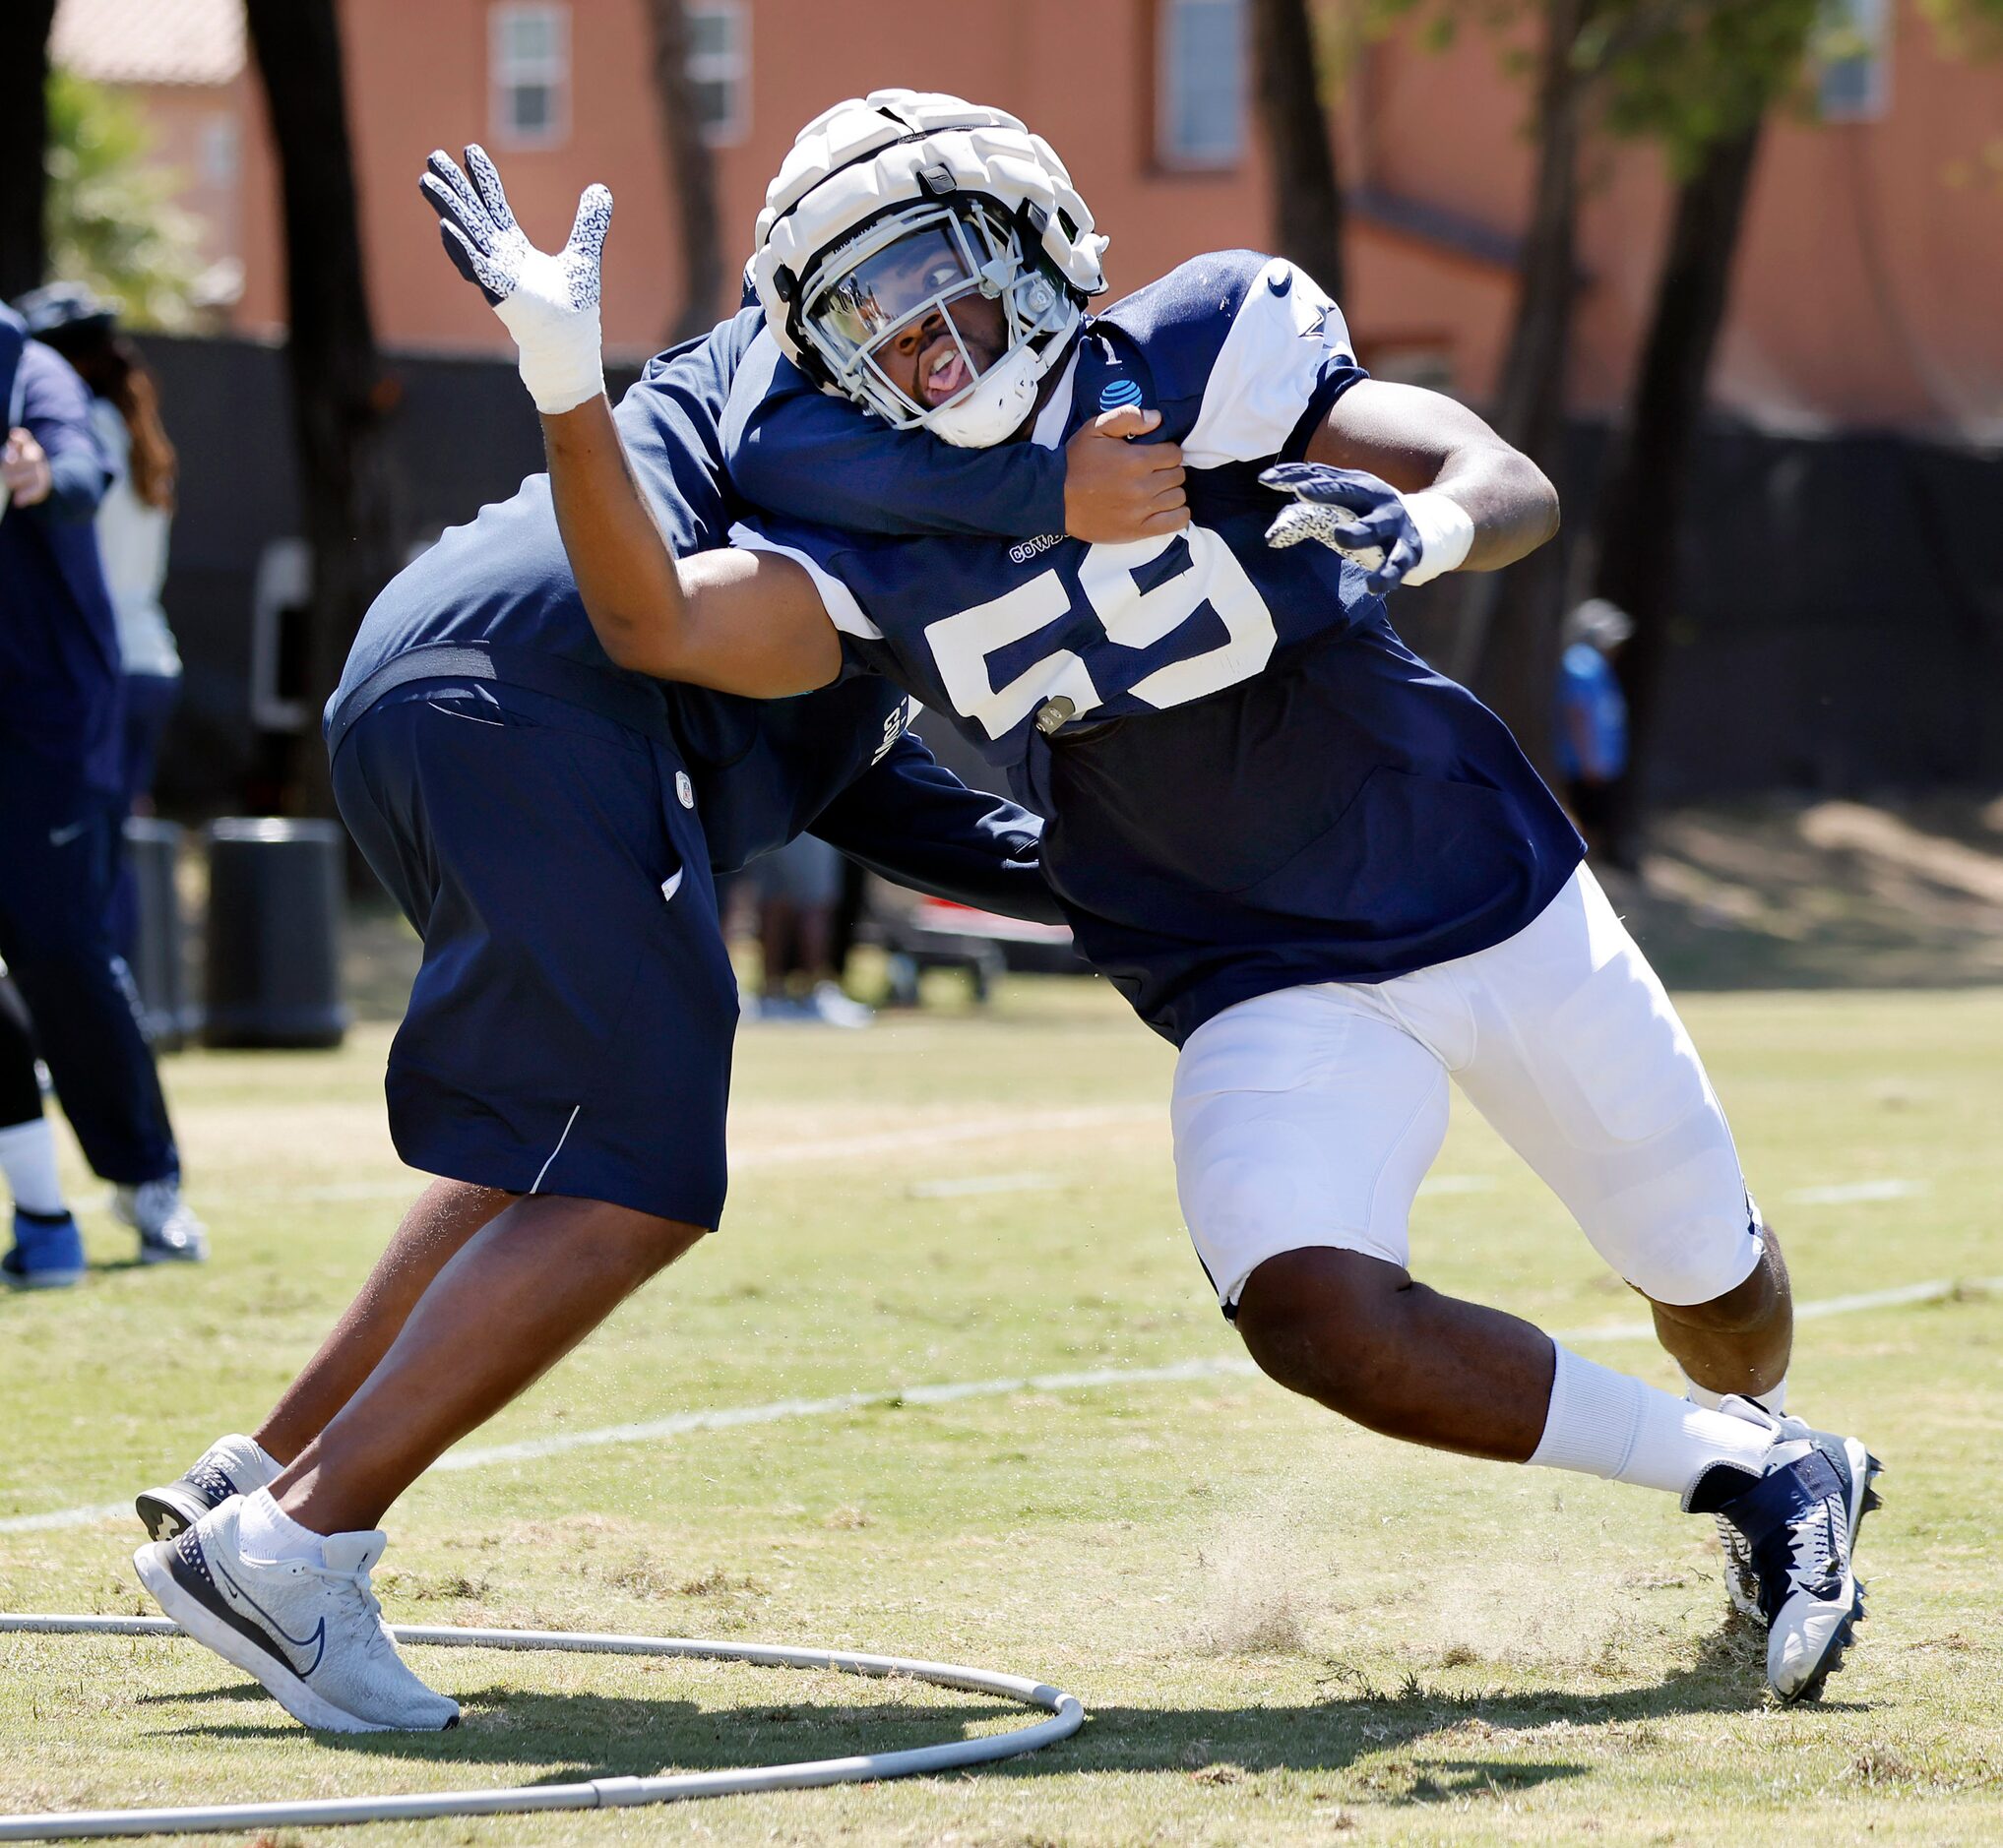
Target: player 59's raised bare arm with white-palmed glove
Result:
[[736, 622]]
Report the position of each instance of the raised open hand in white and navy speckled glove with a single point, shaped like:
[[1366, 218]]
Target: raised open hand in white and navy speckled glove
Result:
[[548, 303]]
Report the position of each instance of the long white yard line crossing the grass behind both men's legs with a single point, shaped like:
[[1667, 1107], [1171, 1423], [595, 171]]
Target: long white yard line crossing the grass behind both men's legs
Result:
[[1227, 1366]]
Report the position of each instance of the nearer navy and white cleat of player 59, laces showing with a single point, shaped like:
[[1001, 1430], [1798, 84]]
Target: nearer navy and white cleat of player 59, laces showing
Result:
[[1796, 1527]]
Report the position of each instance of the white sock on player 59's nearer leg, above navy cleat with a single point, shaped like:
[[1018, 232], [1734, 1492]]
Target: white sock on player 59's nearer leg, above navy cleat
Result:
[[1615, 1427]]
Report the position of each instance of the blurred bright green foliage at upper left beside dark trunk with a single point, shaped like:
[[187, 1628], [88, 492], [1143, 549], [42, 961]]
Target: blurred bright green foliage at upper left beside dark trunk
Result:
[[113, 221]]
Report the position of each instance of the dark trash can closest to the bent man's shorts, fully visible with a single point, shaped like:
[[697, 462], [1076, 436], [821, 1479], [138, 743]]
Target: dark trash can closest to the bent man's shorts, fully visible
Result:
[[273, 964]]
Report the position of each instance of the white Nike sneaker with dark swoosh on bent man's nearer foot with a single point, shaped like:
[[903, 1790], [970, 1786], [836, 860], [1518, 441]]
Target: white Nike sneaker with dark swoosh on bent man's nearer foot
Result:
[[311, 1635]]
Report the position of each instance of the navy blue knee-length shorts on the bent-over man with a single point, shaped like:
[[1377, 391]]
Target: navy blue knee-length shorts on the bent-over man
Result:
[[572, 1026]]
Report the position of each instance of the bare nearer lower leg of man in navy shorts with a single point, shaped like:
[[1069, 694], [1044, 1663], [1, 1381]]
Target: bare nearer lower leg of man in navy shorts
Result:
[[498, 1316]]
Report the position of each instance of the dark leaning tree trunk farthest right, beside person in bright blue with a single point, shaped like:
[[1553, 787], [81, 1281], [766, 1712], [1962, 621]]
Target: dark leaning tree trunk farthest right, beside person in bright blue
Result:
[[1641, 514]]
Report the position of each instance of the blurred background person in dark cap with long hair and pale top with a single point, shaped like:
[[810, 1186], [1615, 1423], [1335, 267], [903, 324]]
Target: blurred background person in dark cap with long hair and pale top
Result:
[[133, 532]]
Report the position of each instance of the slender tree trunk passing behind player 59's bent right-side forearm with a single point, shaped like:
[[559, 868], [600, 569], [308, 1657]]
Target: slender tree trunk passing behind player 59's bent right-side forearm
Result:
[[1509, 626]]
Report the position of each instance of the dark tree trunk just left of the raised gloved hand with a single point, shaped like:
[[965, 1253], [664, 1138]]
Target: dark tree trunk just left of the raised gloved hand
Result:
[[340, 393]]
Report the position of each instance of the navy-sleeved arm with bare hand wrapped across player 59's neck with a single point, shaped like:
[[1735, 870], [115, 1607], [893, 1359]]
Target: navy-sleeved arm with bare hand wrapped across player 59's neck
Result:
[[798, 451]]
